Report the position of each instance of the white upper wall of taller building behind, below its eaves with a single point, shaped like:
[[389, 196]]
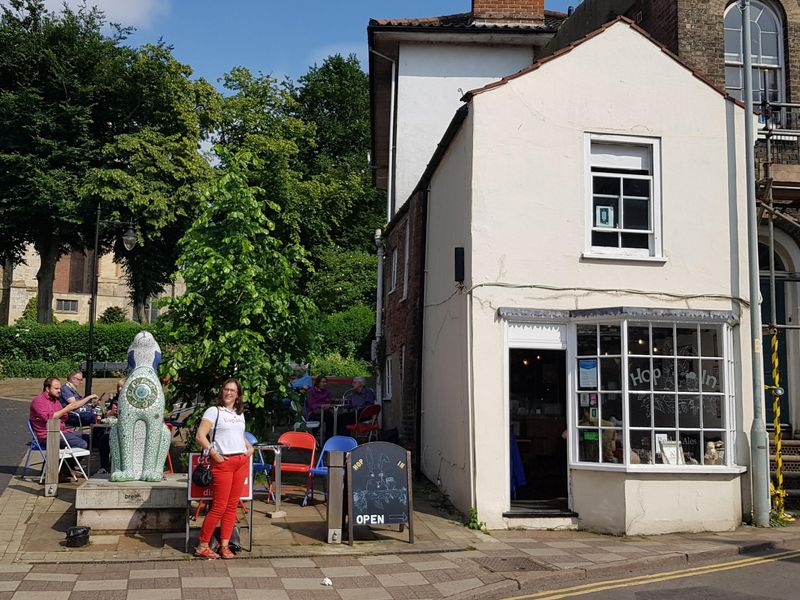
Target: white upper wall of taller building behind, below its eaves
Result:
[[432, 78]]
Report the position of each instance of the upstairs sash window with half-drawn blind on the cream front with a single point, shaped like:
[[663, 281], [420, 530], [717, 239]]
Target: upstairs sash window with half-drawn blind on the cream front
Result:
[[624, 185]]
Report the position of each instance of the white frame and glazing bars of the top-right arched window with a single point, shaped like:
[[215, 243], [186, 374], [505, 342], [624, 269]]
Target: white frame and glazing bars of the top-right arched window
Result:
[[733, 61]]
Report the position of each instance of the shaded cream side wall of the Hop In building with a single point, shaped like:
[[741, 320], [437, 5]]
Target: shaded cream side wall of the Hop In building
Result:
[[446, 423]]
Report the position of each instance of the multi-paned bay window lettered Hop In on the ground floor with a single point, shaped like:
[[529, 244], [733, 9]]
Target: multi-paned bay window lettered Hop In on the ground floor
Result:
[[653, 393]]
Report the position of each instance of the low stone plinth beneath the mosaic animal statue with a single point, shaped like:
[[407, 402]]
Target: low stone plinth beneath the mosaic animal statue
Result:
[[105, 505]]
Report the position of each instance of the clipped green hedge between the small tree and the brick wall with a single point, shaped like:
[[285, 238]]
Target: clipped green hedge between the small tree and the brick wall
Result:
[[348, 333]]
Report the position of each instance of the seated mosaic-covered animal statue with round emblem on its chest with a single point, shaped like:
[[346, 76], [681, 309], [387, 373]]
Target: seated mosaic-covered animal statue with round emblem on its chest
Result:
[[140, 440]]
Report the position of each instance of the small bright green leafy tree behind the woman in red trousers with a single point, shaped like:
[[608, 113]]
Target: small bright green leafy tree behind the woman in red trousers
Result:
[[242, 314]]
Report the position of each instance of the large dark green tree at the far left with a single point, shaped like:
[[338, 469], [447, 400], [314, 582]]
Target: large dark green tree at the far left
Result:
[[87, 121]]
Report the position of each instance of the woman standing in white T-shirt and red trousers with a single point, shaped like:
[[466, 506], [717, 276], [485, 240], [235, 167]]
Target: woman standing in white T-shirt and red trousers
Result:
[[230, 464]]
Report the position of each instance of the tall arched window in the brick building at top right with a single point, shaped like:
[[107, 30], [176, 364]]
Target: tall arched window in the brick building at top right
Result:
[[767, 51]]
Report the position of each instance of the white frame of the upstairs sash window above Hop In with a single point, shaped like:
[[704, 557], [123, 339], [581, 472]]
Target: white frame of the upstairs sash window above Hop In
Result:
[[655, 250]]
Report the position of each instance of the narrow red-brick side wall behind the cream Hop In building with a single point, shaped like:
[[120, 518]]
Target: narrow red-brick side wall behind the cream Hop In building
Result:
[[401, 317]]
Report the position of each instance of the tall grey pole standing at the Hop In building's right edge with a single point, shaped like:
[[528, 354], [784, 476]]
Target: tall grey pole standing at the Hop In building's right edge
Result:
[[759, 471]]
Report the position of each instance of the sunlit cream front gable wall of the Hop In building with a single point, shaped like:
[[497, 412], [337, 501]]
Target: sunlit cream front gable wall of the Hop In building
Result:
[[529, 216]]
